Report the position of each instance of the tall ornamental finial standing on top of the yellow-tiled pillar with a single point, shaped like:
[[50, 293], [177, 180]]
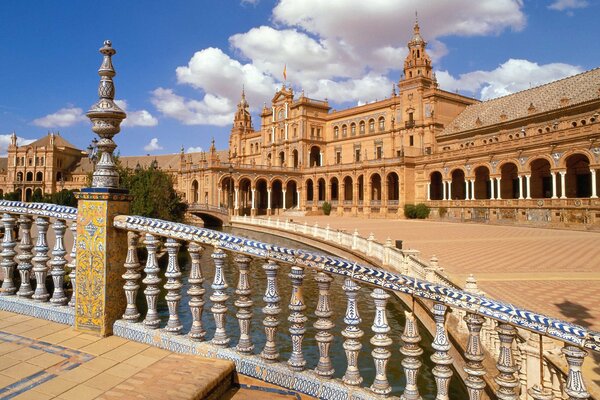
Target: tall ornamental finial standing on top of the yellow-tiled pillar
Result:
[[106, 119]]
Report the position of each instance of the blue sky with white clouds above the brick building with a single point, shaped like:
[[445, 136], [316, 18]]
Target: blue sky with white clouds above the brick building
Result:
[[181, 64]]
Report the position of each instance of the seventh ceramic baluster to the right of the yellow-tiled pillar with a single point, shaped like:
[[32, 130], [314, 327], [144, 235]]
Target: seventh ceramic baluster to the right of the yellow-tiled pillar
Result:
[[271, 311]]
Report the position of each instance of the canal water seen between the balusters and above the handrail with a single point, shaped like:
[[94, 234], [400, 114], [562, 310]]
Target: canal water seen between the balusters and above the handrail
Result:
[[395, 314]]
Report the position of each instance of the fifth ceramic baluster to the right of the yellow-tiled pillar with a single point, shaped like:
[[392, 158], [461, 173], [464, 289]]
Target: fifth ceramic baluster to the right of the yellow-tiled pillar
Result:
[[219, 297]]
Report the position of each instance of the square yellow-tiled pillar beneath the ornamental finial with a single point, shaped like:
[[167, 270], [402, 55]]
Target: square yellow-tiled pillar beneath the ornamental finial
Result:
[[101, 252]]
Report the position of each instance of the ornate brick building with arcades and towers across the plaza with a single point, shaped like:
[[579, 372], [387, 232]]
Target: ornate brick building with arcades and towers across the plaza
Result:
[[529, 156]]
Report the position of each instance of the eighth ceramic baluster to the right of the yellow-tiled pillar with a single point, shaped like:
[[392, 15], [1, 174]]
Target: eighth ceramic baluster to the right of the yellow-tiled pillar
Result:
[[297, 319]]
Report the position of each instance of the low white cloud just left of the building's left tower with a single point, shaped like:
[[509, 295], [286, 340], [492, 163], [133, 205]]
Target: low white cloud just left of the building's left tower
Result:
[[211, 110]]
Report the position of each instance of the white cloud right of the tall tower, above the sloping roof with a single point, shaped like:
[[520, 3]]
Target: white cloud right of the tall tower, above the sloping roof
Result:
[[510, 77]]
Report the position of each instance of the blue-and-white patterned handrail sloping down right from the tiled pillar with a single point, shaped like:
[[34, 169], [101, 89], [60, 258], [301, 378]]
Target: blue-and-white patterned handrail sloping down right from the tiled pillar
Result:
[[476, 304]]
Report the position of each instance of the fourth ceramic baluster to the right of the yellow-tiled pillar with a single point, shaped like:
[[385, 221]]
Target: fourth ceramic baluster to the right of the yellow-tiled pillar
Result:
[[196, 292]]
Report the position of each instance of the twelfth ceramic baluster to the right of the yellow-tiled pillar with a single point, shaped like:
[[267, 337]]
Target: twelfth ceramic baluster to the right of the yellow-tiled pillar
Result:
[[411, 362]]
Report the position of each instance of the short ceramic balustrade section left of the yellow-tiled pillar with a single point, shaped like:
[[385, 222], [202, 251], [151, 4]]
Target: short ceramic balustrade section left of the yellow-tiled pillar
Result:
[[31, 269]]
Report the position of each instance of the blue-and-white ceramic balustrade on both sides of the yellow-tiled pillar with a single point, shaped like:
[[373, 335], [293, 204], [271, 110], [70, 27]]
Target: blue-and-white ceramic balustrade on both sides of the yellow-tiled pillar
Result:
[[484, 319]]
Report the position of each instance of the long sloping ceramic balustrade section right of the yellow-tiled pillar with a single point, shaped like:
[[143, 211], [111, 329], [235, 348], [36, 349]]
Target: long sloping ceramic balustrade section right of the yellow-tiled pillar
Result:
[[479, 312]]
